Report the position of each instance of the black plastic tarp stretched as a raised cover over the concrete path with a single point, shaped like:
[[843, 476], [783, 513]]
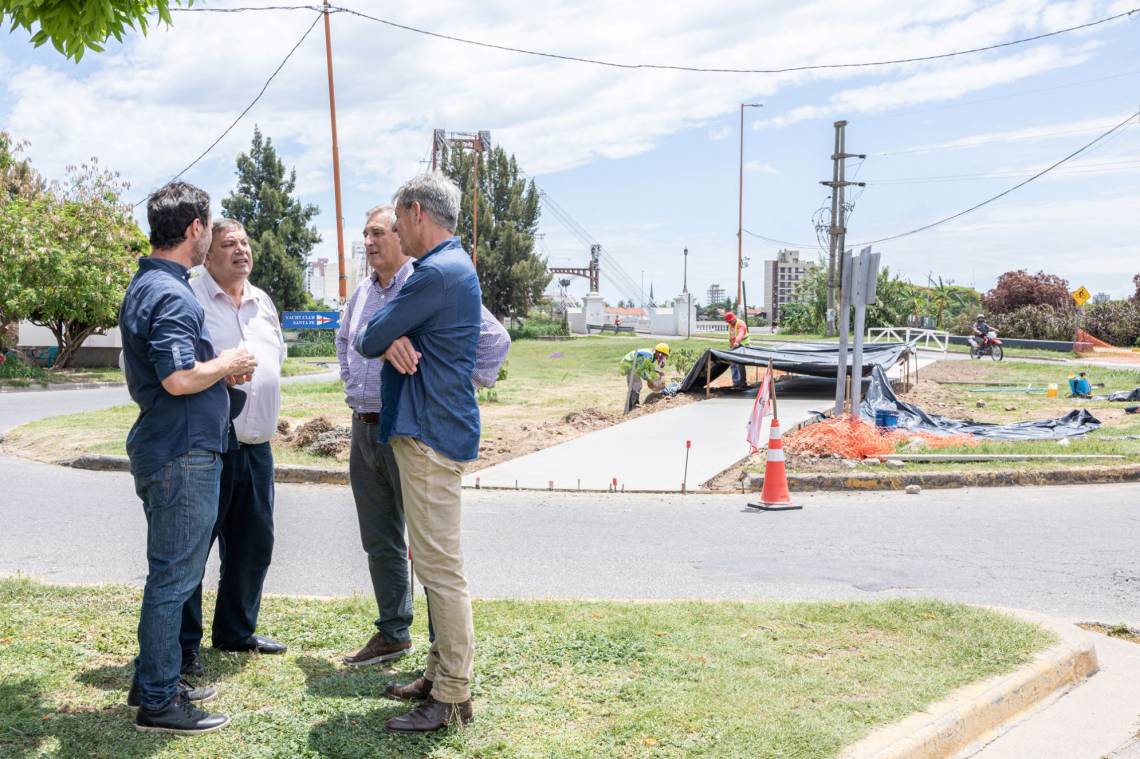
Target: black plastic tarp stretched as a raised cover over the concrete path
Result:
[[812, 360]]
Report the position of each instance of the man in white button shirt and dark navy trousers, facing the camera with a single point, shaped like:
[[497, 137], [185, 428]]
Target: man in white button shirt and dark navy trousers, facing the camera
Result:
[[240, 315]]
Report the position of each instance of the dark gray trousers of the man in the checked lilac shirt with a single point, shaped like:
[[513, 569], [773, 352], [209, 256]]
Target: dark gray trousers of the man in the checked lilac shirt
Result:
[[376, 483]]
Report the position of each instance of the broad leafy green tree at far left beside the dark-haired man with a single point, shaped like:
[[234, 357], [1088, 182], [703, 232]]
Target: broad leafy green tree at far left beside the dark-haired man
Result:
[[68, 257]]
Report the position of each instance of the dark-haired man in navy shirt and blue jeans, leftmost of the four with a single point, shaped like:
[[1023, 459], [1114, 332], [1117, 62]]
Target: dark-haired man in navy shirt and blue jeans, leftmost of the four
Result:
[[175, 447]]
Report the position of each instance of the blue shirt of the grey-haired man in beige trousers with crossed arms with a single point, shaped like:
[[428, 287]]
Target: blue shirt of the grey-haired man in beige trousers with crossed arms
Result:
[[439, 311]]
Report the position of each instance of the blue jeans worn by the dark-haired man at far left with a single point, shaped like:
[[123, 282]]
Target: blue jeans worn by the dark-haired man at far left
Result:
[[181, 502]]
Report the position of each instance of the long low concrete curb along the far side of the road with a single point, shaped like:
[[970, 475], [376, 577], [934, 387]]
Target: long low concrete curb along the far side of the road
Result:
[[299, 475]]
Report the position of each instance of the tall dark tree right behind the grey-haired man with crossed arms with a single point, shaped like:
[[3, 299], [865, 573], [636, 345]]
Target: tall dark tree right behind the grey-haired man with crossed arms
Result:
[[511, 274]]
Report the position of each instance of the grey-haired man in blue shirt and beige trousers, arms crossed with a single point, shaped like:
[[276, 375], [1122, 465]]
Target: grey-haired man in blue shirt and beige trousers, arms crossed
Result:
[[428, 336]]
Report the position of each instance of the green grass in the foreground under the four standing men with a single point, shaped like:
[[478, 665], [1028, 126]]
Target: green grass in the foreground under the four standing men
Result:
[[553, 679]]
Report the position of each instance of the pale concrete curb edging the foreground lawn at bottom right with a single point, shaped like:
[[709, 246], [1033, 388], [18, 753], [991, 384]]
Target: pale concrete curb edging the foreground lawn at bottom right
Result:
[[979, 712]]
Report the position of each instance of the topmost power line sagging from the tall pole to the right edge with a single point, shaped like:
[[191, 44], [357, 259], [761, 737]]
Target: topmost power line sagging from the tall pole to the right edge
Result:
[[702, 70]]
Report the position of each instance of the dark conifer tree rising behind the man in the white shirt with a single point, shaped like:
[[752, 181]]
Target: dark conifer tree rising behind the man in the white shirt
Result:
[[264, 203]]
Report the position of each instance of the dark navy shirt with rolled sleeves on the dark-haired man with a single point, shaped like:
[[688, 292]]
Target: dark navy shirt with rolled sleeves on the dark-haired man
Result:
[[165, 331]]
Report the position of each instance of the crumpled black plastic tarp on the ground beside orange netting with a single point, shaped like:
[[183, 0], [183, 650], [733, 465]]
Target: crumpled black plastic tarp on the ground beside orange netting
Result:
[[881, 396]]
